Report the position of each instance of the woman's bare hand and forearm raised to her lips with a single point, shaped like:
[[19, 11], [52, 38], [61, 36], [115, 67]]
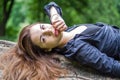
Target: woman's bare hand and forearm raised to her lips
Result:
[[57, 21]]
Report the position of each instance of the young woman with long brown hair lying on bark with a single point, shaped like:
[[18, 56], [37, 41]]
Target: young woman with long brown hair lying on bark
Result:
[[96, 45]]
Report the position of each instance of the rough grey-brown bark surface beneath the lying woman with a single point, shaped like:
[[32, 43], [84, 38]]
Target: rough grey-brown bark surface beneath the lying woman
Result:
[[76, 72]]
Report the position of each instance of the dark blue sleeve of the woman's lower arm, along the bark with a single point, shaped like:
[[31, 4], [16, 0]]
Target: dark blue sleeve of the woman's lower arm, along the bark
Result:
[[90, 55]]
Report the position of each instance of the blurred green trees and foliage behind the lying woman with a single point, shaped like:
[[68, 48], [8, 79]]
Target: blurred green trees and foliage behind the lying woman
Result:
[[16, 14]]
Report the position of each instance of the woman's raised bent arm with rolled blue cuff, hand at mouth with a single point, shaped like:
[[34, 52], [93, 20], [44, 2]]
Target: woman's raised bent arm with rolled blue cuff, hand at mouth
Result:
[[55, 14]]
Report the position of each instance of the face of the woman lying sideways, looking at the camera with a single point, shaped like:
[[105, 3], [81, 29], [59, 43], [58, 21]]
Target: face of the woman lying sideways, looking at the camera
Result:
[[45, 36]]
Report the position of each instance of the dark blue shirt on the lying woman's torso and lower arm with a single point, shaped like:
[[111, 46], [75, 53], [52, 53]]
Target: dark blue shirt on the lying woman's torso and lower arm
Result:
[[99, 49]]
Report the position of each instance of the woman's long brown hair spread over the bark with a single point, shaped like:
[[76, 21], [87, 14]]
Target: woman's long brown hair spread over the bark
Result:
[[26, 61]]
